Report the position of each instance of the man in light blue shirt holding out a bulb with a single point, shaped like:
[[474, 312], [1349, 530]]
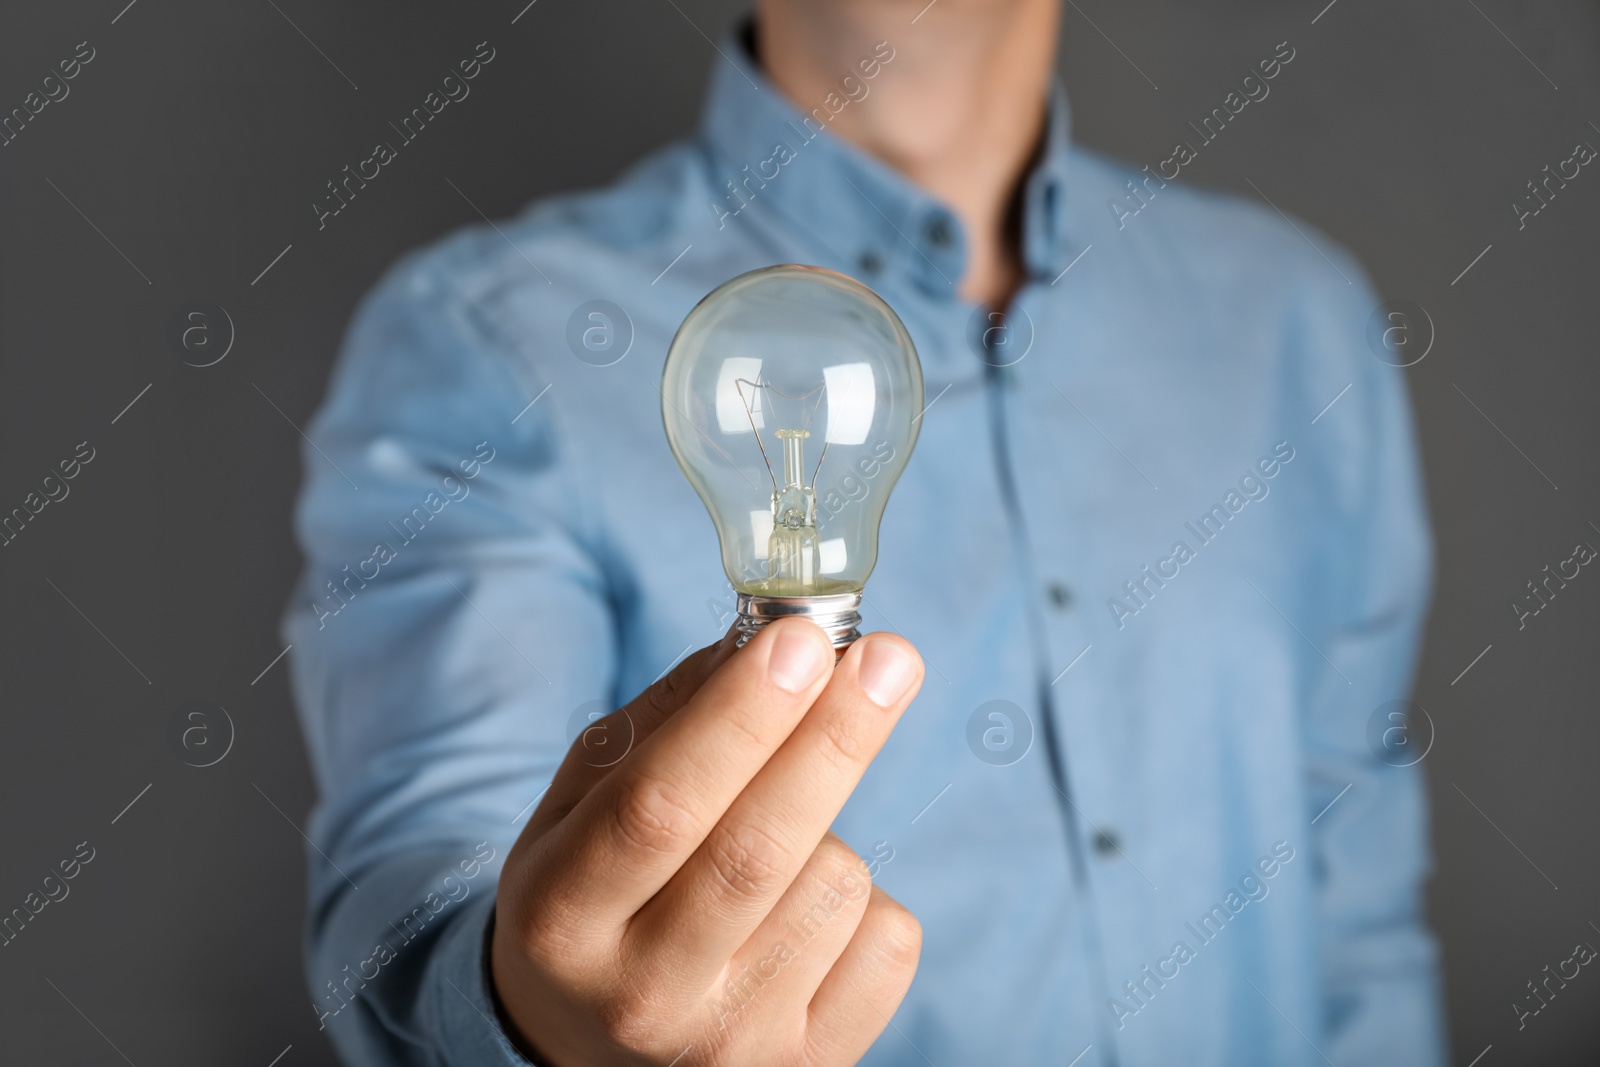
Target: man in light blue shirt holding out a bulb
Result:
[[1158, 597]]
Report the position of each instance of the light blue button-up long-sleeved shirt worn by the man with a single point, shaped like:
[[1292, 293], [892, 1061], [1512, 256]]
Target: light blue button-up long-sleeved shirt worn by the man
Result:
[[1161, 588]]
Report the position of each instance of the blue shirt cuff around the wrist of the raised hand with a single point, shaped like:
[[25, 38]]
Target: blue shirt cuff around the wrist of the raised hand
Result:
[[468, 1026]]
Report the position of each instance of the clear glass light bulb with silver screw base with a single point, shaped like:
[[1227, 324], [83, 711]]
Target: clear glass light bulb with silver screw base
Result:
[[793, 399]]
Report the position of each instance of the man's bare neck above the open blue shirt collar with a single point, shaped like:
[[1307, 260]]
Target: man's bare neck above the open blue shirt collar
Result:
[[959, 114]]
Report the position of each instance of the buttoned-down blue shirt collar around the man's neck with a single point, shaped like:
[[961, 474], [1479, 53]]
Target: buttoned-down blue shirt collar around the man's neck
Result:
[[775, 159]]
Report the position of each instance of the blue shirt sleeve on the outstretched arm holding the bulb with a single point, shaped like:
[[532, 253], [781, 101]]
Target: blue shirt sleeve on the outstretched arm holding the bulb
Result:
[[449, 621]]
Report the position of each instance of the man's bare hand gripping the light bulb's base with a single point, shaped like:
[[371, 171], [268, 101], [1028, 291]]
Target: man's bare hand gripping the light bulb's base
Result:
[[687, 905]]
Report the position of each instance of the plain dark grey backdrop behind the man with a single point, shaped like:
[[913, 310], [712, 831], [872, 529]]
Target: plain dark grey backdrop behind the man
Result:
[[196, 143]]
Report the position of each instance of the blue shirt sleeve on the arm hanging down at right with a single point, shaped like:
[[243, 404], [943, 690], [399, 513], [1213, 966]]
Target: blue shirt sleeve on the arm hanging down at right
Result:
[[1378, 961]]
